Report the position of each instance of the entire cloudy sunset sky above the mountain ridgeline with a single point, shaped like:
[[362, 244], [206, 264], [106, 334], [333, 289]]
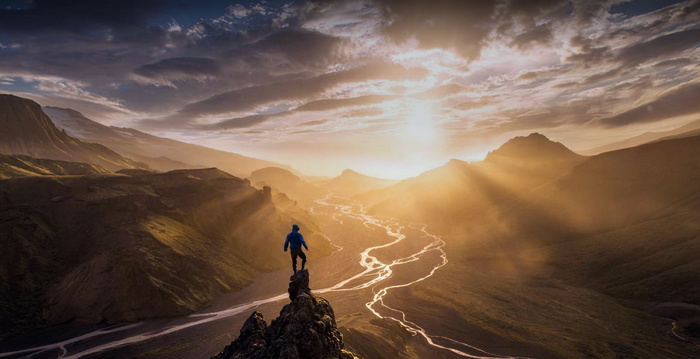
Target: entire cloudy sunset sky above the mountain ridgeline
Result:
[[387, 87]]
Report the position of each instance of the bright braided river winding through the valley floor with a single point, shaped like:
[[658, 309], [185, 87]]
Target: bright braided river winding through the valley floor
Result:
[[377, 276]]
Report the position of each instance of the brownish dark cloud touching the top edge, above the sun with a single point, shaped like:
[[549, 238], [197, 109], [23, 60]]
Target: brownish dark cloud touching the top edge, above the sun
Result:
[[466, 26]]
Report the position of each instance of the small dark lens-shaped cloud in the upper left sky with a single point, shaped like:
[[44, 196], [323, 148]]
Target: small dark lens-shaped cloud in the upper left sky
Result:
[[180, 67]]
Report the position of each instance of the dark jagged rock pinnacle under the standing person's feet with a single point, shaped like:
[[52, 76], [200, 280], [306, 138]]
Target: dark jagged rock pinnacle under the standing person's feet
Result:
[[305, 329]]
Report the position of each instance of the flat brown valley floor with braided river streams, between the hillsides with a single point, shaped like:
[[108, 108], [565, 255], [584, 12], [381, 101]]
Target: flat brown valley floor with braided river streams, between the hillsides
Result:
[[405, 295]]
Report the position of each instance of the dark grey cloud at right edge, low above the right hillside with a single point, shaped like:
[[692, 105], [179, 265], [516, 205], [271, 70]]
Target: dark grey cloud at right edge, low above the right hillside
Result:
[[678, 102]]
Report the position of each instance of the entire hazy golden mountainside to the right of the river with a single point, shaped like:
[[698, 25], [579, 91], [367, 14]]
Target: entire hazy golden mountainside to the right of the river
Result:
[[611, 235]]
